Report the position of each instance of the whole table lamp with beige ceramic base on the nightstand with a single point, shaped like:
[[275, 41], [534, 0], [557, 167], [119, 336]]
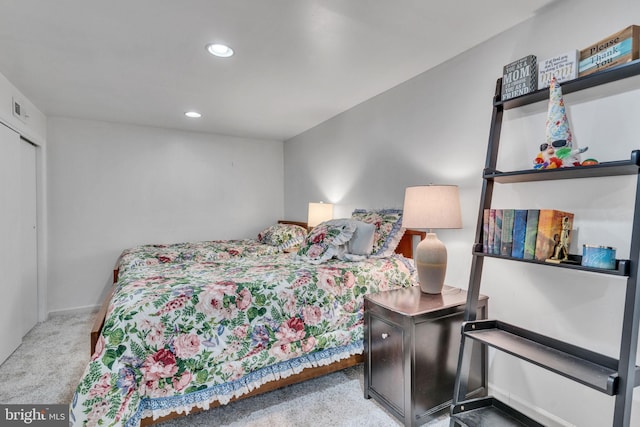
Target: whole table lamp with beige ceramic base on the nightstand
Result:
[[427, 207]]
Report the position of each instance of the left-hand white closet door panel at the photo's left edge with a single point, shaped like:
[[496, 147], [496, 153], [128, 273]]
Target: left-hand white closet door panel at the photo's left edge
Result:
[[10, 230]]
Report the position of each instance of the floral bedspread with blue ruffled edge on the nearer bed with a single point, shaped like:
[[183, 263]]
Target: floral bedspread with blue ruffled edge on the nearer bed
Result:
[[179, 336]]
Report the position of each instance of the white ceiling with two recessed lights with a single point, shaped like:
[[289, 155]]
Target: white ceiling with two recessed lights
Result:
[[297, 62]]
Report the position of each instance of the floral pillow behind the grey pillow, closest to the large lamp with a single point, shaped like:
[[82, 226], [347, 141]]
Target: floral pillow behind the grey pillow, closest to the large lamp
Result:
[[389, 231]]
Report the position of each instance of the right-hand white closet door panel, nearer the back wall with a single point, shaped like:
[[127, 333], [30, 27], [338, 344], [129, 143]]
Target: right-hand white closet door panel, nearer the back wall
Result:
[[28, 237]]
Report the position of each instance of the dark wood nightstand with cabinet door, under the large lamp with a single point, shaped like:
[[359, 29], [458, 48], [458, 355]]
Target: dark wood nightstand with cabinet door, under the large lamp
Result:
[[411, 348]]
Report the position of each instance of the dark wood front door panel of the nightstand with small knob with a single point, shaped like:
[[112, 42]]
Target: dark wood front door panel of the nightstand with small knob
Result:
[[387, 368]]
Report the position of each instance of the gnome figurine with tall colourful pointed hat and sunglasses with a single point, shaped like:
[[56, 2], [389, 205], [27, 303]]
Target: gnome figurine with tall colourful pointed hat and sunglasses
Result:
[[557, 151]]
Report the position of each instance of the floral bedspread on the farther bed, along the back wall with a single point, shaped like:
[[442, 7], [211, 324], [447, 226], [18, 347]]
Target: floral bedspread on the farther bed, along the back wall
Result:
[[205, 251]]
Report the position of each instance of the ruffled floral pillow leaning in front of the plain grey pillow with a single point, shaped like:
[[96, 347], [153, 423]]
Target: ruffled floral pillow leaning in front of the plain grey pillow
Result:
[[324, 241]]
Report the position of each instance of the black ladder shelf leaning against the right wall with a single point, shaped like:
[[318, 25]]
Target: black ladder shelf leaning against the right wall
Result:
[[613, 377]]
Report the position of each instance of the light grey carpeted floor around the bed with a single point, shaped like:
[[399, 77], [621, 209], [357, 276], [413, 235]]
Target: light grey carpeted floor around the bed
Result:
[[45, 369]]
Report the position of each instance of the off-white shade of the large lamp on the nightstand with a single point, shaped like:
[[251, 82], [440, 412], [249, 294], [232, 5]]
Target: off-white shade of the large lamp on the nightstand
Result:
[[431, 206]]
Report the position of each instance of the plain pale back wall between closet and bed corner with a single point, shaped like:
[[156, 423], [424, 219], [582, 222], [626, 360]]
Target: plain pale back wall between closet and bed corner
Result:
[[115, 186]]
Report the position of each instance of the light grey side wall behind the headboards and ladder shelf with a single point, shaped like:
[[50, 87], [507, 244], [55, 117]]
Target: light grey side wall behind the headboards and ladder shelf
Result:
[[434, 129]]
